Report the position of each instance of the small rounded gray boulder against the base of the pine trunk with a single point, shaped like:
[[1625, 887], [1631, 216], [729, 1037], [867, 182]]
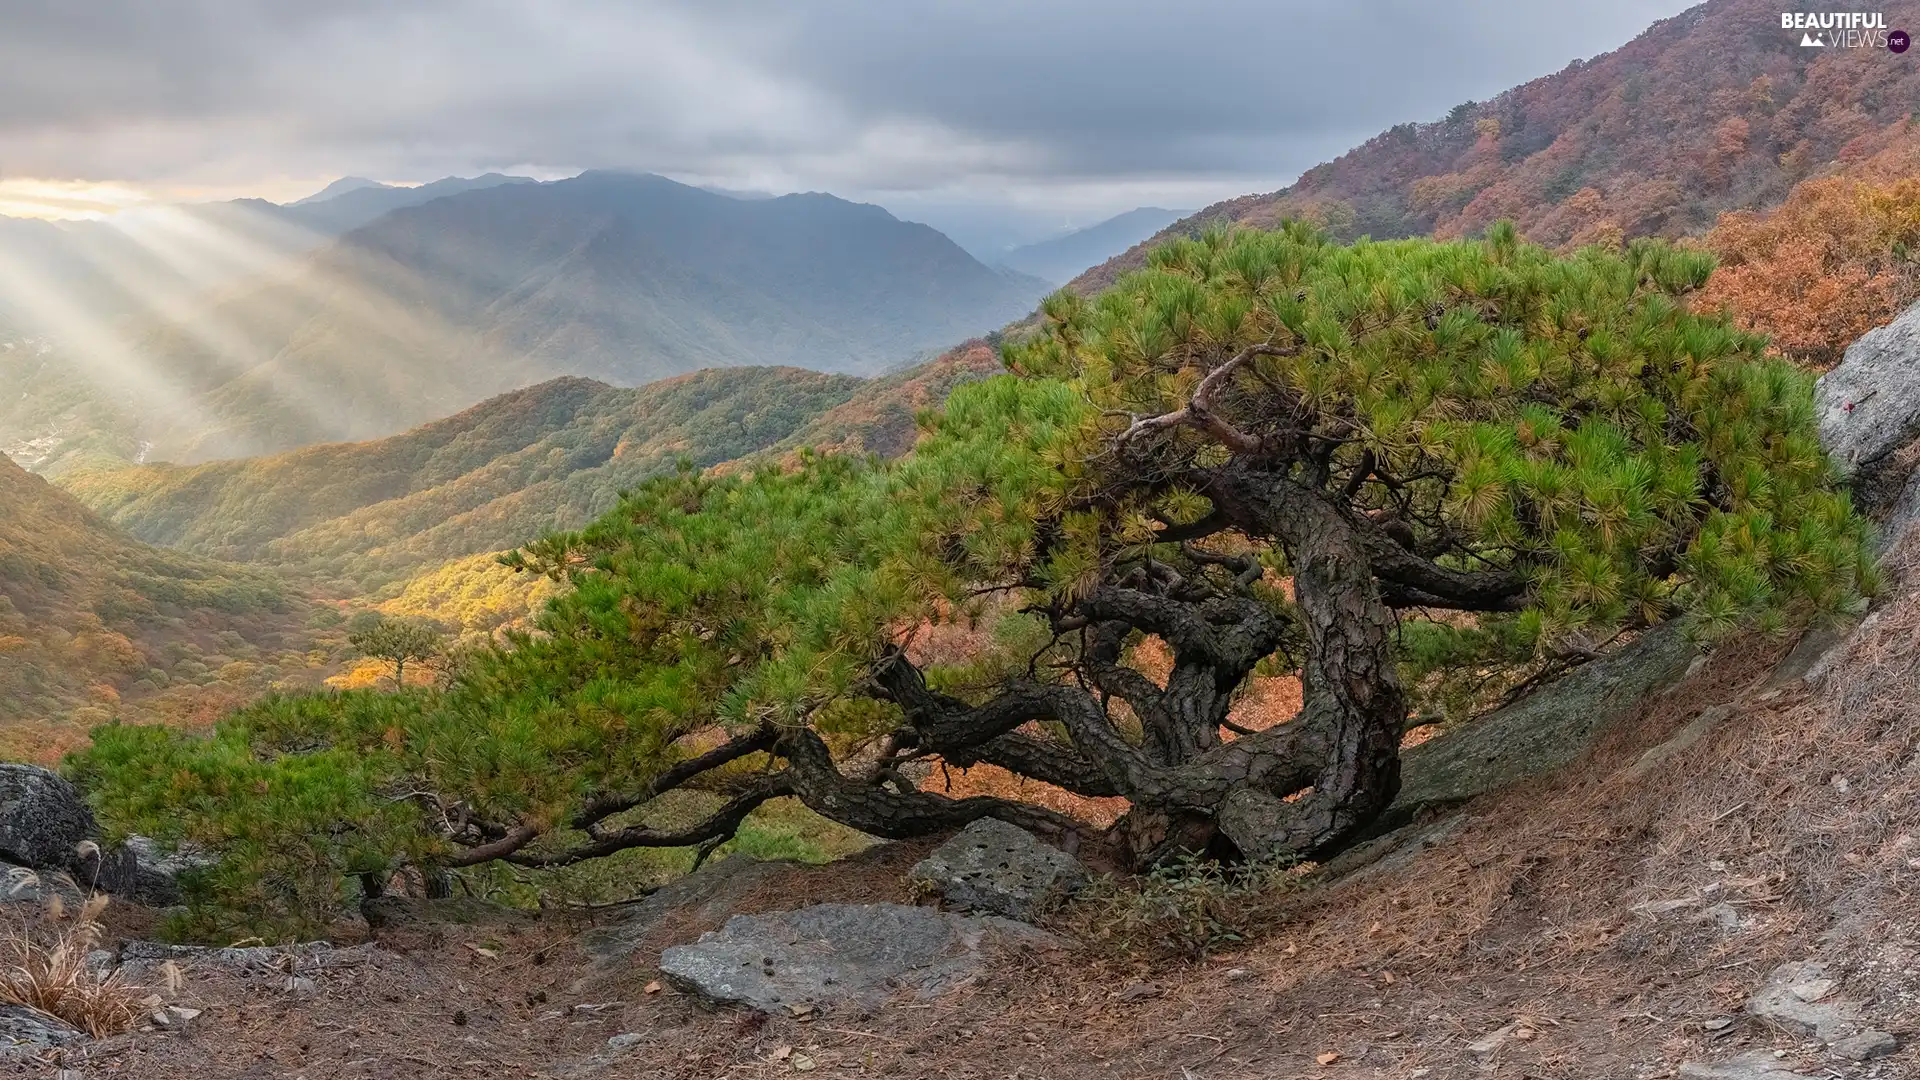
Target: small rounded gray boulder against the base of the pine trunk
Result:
[[999, 870]]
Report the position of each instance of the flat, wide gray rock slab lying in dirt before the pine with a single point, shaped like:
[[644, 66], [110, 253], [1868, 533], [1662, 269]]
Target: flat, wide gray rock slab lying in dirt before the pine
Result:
[[842, 954]]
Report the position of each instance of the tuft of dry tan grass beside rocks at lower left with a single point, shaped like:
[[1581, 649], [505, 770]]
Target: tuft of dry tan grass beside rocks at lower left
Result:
[[45, 970]]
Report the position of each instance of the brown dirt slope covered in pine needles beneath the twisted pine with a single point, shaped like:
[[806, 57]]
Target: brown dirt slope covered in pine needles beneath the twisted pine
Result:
[[1585, 916]]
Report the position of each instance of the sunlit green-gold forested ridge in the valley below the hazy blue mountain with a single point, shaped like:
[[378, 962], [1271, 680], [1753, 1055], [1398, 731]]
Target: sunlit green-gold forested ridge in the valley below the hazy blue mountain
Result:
[[496, 476]]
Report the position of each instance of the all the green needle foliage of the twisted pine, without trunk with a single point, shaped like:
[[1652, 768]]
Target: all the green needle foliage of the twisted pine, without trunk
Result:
[[1566, 416]]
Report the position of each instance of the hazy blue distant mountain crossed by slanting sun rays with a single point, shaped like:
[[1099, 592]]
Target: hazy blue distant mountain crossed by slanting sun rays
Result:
[[608, 276]]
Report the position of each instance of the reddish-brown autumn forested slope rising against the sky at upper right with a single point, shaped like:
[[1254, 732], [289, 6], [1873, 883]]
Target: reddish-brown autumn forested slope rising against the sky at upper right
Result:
[[1712, 110]]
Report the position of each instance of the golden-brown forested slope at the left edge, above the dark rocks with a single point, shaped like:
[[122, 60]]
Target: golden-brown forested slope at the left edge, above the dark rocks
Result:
[[95, 626]]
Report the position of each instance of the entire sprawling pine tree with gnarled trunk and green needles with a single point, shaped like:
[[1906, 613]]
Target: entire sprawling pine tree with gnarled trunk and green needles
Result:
[[1372, 466]]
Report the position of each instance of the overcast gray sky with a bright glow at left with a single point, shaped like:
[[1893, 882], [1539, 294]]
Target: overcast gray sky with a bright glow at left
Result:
[[1057, 109]]
